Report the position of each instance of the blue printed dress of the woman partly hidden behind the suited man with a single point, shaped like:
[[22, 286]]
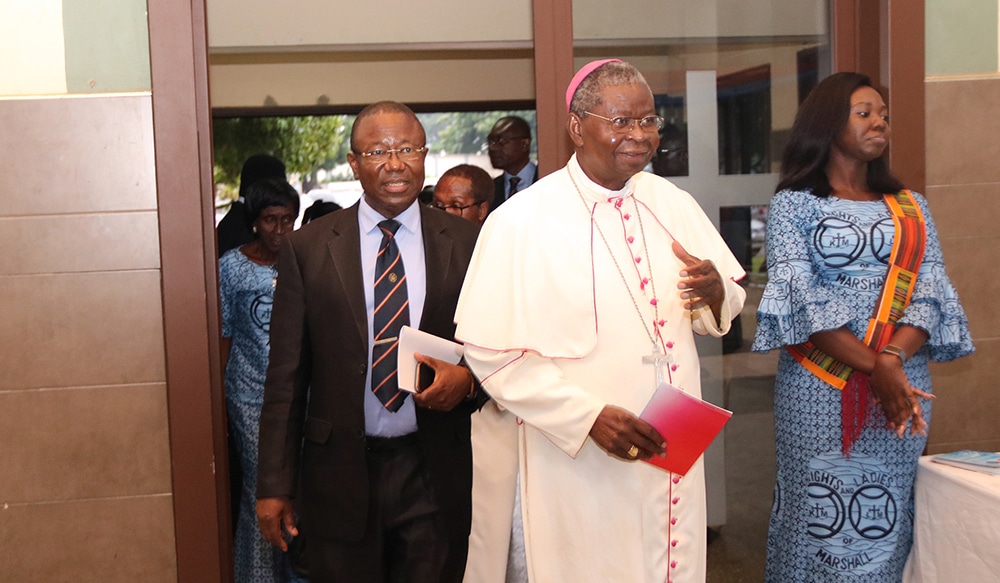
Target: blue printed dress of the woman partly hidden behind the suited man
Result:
[[247, 292]]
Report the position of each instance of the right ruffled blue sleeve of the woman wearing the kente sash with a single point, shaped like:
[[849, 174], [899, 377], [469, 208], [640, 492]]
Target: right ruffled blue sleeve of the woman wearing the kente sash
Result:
[[934, 306]]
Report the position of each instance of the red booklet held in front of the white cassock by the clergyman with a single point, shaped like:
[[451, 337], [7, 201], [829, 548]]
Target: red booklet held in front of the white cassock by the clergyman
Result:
[[687, 423]]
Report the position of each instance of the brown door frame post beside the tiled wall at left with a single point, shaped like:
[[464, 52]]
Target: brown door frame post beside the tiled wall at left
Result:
[[185, 197]]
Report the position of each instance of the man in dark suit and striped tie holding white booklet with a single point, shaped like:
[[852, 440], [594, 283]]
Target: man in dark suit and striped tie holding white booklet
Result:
[[383, 492]]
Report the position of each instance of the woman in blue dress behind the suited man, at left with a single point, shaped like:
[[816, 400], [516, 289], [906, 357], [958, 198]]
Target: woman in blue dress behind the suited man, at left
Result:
[[247, 277]]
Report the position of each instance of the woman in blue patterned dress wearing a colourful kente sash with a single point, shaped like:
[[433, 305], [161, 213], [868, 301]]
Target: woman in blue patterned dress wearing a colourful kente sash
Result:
[[843, 502]]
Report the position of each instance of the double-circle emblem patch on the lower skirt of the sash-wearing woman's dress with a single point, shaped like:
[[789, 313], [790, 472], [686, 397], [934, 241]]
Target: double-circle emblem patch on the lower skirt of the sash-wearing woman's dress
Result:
[[852, 512]]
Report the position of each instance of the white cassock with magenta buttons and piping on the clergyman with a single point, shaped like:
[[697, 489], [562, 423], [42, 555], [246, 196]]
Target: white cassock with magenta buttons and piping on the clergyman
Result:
[[555, 335]]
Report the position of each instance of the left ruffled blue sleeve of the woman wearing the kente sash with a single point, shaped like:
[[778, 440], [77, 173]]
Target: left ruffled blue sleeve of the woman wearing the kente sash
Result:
[[796, 302]]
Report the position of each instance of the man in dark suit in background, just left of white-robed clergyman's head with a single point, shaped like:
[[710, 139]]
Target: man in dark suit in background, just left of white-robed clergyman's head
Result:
[[509, 144]]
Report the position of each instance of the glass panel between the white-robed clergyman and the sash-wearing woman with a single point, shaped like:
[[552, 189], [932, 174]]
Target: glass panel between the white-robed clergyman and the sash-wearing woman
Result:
[[728, 77]]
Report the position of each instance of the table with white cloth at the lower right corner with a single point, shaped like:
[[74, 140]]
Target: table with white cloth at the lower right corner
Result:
[[956, 534]]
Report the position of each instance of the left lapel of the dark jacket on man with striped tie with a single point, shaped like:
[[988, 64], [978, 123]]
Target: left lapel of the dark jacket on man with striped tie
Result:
[[344, 245]]
